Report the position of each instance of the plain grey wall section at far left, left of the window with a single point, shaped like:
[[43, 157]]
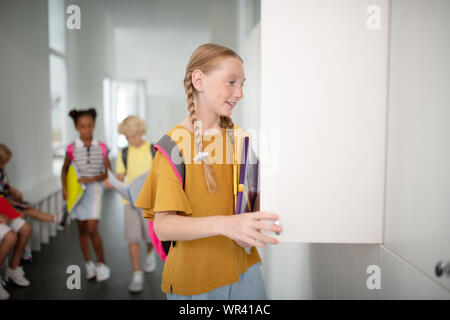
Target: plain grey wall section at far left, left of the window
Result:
[[25, 119]]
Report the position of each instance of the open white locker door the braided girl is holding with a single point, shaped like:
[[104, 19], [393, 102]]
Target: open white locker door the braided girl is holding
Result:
[[323, 118]]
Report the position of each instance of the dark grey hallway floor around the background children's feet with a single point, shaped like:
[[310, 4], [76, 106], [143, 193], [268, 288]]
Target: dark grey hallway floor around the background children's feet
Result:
[[48, 270]]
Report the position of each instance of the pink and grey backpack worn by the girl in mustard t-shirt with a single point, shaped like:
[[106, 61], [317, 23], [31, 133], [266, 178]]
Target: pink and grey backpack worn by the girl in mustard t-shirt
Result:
[[169, 149]]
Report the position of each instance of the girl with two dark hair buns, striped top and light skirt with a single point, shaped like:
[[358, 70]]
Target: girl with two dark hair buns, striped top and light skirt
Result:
[[91, 161]]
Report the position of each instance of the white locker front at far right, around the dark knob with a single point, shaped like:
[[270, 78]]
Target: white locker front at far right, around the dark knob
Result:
[[418, 176]]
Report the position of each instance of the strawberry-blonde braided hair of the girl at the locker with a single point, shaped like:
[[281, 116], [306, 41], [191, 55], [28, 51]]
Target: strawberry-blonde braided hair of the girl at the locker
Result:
[[205, 58]]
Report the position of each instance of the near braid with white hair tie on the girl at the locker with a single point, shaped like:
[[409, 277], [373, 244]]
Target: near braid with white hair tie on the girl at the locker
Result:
[[211, 183]]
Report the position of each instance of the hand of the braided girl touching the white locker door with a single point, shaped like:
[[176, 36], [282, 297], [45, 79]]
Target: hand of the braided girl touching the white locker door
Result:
[[245, 228]]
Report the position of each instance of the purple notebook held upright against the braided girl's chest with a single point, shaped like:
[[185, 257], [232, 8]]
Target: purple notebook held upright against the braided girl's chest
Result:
[[248, 185]]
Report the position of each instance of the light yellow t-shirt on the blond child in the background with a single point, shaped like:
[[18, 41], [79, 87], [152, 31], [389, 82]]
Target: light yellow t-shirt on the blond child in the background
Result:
[[139, 161]]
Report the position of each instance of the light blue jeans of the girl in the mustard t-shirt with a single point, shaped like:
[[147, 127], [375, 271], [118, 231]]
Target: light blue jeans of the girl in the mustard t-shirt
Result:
[[249, 287]]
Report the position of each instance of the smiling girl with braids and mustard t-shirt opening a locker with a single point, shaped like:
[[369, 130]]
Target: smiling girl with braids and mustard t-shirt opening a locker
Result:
[[207, 258]]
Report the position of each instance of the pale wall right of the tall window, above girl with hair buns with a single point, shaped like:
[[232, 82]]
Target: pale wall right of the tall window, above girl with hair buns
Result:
[[90, 59]]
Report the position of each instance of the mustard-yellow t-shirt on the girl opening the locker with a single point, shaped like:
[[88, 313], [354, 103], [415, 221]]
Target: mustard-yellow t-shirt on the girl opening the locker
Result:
[[196, 266]]
